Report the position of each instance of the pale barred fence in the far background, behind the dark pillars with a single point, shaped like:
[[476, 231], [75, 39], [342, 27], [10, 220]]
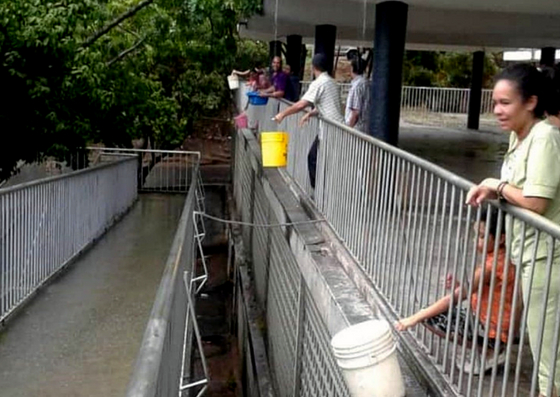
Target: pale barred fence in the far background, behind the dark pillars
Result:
[[437, 106]]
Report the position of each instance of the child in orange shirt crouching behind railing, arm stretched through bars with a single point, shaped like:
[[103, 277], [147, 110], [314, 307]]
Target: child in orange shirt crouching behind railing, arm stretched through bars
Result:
[[436, 319]]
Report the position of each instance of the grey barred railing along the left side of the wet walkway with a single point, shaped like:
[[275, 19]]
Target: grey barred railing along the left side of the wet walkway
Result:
[[47, 223]]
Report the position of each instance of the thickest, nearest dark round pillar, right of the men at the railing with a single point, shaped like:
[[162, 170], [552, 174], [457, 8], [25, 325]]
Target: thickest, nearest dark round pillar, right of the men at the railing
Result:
[[390, 36]]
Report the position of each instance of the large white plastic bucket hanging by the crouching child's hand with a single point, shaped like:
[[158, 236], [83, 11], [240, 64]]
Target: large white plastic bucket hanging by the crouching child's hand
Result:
[[366, 354]]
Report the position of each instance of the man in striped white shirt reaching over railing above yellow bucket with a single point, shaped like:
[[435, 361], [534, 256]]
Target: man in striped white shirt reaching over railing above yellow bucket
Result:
[[324, 95]]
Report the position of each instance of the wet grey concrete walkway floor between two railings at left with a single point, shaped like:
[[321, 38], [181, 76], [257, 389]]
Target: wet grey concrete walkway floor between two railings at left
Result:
[[81, 334]]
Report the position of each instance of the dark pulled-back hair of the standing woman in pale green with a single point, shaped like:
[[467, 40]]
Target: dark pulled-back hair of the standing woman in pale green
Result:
[[530, 82]]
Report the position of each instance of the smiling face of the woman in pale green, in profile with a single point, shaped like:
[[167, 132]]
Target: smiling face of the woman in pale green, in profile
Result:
[[513, 113]]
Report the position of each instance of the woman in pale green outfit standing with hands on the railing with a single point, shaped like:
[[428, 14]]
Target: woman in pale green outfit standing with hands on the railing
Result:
[[530, 179]]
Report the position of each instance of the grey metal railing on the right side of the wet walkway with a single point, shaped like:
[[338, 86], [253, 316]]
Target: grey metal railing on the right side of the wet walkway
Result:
[[164, 363]]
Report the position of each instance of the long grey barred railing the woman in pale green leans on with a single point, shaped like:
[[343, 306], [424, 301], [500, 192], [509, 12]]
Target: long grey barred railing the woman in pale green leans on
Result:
[[405, 222]]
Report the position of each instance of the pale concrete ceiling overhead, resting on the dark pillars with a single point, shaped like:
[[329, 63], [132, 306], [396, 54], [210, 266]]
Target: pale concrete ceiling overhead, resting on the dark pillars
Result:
[[432, 24]]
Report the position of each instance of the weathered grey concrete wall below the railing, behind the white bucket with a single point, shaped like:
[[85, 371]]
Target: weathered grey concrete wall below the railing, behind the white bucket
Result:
[[301, 293]]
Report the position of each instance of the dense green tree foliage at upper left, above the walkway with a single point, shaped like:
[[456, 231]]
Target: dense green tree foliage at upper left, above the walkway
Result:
[[74, 72]]
